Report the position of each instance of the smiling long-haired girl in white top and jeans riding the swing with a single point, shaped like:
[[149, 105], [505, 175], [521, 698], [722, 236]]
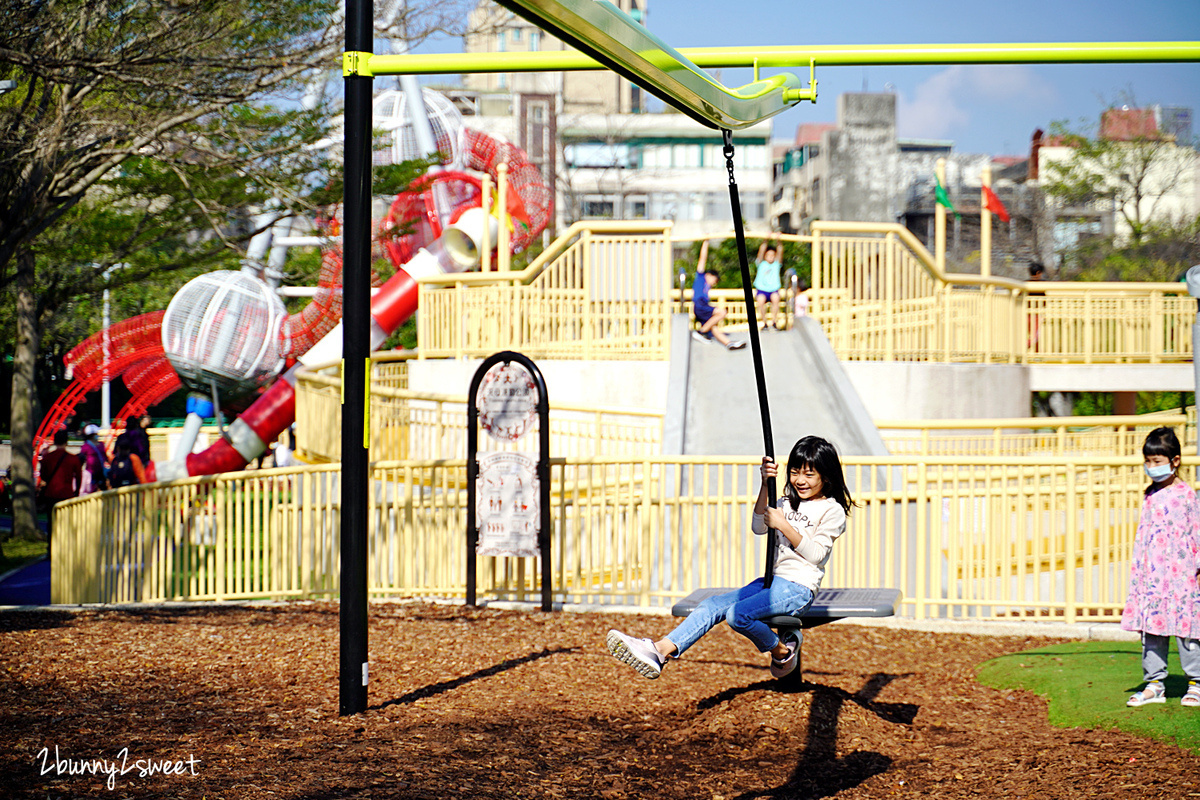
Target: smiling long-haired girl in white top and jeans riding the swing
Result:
[[809, 518]]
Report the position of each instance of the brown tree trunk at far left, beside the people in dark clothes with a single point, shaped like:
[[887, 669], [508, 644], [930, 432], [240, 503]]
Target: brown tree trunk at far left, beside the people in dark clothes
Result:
[[25, 514]]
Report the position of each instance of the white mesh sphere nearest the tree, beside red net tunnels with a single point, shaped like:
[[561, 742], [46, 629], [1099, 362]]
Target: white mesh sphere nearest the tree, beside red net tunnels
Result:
[[224, 328]]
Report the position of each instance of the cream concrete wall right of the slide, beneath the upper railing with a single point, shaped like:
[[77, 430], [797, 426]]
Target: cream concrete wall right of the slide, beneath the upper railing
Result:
[[899, 390]]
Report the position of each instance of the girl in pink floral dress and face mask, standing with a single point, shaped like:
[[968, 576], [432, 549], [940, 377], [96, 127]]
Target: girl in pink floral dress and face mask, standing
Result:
[[1165, 582]]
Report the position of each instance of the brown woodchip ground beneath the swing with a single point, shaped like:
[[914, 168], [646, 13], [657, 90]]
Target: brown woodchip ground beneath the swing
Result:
[[487, 703]]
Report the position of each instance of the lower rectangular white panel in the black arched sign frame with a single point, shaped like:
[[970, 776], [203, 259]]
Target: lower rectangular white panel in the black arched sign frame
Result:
[[507, 508]]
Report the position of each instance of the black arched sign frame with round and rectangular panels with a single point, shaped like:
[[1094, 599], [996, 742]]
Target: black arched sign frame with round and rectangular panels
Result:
[[508, 492]]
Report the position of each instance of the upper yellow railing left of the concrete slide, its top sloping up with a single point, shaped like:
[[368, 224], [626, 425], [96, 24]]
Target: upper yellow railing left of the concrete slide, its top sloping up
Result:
[[601, 291]]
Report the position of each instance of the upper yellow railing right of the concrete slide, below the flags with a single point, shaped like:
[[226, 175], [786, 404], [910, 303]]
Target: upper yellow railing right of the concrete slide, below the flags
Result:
[[880, 296]]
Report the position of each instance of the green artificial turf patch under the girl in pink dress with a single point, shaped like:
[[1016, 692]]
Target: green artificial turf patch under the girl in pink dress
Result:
[[1087, 685]]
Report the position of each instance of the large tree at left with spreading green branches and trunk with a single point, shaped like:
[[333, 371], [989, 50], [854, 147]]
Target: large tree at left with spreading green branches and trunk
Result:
[[139, 135]]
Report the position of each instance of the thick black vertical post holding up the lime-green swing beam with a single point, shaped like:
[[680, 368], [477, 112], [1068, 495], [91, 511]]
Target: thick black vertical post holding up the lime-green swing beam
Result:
[[356, 351]]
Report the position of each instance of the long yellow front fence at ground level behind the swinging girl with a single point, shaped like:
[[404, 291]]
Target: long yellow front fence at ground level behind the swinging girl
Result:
[[963, 538]]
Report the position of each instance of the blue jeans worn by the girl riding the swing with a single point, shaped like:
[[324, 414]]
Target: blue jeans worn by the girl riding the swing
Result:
[[745, 611]]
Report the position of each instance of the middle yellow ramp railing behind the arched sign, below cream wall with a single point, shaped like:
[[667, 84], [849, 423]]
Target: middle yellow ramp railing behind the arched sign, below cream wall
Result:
[[422, 425]]
